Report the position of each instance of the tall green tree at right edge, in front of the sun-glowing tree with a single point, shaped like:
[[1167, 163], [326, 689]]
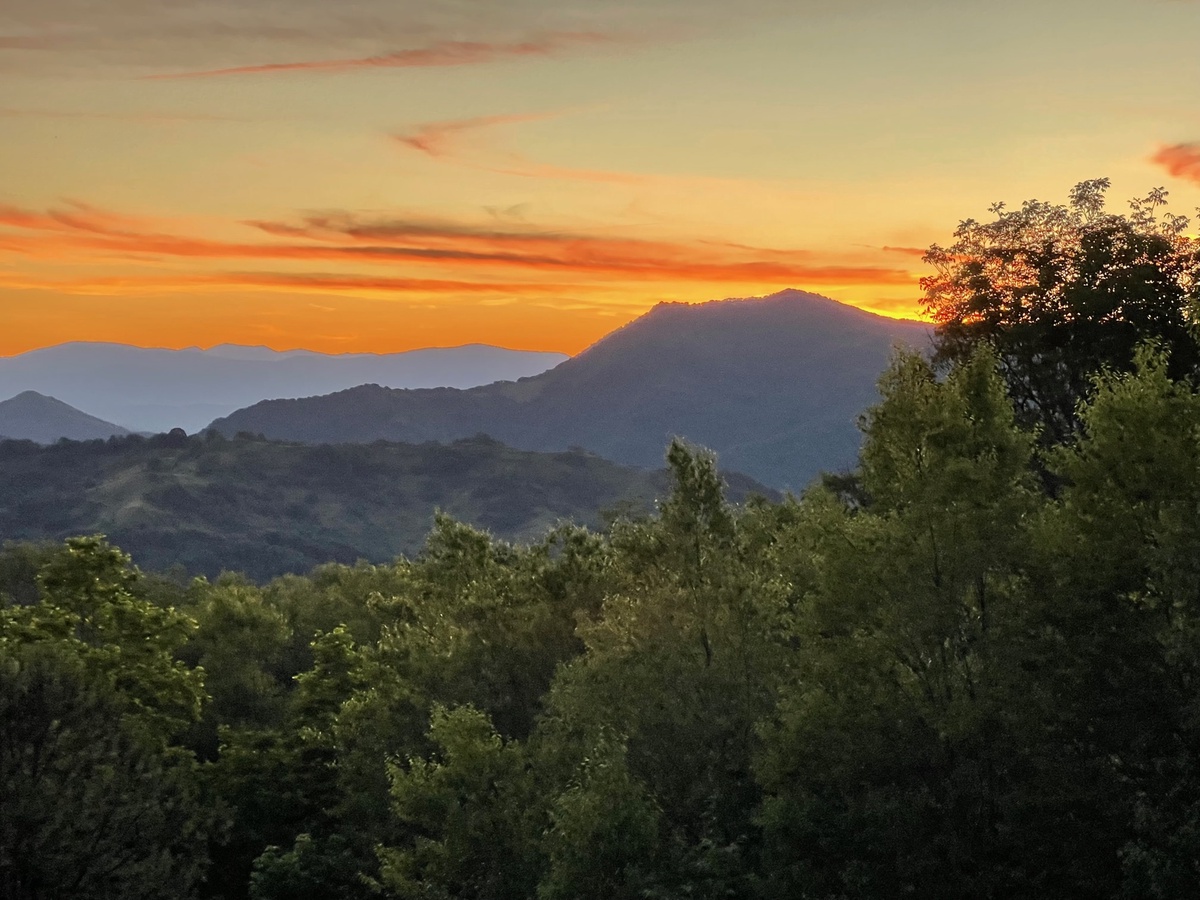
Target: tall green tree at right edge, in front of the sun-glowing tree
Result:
[[1123, 559]]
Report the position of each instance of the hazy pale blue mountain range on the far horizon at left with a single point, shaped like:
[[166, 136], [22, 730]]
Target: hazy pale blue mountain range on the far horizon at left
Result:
[[157, 391]]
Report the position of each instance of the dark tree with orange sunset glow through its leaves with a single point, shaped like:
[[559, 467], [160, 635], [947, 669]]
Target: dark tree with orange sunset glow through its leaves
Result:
[[1063, 292]]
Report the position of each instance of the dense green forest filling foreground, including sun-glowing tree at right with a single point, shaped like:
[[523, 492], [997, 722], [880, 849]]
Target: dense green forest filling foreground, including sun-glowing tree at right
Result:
[[969, 668]]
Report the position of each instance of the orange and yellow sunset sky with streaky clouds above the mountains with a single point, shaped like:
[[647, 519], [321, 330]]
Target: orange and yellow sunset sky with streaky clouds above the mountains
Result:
[[381, 176]]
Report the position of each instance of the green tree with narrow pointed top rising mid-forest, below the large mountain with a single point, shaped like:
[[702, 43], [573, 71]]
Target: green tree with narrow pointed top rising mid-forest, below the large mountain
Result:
[[681, 663]]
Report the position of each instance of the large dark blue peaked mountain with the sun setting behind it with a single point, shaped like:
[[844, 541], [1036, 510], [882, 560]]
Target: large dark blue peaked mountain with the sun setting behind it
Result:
[[775, 385]]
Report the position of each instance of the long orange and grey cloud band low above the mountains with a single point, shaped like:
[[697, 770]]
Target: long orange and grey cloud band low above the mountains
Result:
[[465, 253]]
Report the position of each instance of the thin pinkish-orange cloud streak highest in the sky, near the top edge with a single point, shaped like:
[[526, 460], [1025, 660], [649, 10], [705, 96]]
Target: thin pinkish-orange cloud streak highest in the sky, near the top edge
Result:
[[443, 53]]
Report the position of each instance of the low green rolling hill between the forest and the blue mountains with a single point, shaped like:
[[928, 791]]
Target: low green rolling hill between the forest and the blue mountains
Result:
[[268, 508]]
